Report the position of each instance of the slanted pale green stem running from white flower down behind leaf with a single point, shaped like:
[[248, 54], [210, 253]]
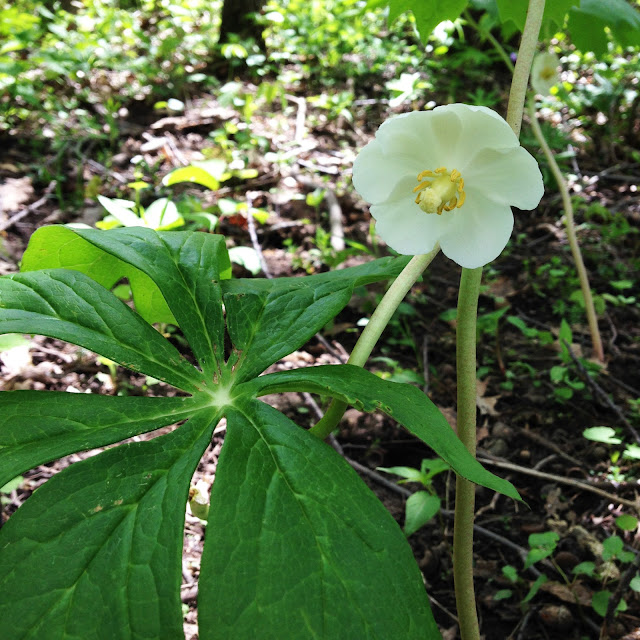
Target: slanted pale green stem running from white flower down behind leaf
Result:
[[372, 332]]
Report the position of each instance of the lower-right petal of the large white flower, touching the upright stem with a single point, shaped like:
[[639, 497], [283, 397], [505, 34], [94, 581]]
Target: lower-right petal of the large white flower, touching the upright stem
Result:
[[478, 232]]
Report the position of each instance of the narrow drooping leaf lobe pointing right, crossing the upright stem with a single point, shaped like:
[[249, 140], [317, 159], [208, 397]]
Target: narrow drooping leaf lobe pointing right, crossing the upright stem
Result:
[[406, 404]]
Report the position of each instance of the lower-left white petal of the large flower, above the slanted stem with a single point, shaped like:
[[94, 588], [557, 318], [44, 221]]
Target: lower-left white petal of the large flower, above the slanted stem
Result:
[[404, 226]]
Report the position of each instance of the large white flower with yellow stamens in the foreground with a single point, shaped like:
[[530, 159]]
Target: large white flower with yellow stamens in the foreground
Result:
[[470, 170]]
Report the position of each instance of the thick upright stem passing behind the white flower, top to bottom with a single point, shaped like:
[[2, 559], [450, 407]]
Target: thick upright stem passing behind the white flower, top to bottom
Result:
[[466, 359]]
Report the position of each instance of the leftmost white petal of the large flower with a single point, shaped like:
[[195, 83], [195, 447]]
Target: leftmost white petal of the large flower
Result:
[[375, 174]]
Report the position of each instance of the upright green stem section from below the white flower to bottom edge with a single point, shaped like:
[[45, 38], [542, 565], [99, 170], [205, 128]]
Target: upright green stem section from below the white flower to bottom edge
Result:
[[466, 420]]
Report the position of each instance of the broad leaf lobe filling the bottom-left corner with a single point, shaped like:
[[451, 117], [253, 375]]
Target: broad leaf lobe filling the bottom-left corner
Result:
[[95, 552]]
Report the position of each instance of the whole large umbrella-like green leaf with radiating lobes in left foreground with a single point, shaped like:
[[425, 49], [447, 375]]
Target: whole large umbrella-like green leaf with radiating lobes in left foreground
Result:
[[296, 545]]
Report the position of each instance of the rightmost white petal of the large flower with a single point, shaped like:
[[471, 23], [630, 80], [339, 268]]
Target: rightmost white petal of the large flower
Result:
[[506, 176]]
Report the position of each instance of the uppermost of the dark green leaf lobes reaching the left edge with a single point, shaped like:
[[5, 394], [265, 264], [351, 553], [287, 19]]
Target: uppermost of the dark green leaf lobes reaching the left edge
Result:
[[70, 306]]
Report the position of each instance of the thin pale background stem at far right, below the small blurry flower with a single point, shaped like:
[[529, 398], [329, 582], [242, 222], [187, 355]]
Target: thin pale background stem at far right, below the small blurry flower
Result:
[[590, 310]]
